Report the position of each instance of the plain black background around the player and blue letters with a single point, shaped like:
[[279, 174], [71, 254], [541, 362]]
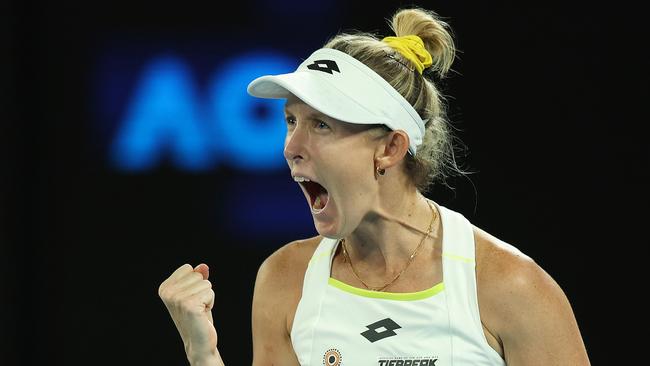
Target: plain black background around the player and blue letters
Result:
[[547, 97]]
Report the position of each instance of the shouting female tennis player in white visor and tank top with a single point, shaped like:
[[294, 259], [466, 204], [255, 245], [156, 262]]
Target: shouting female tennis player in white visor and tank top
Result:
[[393, 278]]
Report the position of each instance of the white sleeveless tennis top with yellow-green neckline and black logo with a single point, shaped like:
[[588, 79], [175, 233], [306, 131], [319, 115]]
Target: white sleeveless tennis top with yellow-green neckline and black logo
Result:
[[340, 325]]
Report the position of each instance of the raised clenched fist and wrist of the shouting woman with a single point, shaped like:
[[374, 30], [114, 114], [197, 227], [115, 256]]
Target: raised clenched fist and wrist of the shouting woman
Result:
[[189, 298]]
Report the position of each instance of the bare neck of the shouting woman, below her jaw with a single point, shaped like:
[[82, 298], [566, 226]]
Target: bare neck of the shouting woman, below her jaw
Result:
[[390, 233]]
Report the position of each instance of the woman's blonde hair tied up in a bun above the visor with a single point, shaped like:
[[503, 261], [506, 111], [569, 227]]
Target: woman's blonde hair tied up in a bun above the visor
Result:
[[435, 158]]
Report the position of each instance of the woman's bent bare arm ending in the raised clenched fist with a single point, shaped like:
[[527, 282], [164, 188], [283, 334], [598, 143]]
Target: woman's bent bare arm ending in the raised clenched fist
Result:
[[188, 296]]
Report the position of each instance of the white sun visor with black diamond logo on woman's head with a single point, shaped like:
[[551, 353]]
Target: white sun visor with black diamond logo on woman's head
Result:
[[341, 87]]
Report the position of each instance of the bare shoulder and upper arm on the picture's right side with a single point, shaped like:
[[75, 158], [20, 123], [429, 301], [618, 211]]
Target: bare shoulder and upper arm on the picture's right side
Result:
[[523, 307]]
